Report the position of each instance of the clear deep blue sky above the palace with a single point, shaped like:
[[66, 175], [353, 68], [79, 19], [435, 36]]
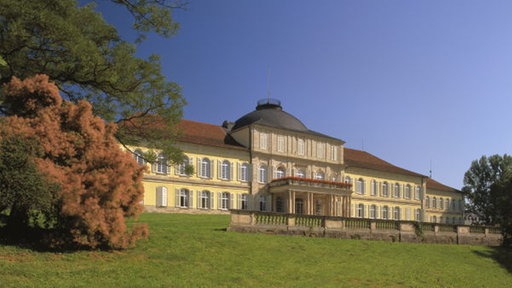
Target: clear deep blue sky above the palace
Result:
[[419, 84]]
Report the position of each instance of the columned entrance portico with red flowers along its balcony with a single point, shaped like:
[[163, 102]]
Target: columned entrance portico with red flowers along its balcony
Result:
[[310, 196]]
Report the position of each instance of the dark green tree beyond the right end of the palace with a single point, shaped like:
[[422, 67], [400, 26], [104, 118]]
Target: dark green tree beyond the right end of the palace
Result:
[[488, 189]]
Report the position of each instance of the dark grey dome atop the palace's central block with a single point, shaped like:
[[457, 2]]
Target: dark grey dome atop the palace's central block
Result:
[[269, 112]]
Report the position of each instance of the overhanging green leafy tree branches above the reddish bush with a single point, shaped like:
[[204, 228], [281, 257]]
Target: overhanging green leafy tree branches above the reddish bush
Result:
[[87, 60]]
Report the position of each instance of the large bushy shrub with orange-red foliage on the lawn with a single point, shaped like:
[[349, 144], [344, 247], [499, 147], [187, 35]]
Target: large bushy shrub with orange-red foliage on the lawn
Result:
[[99, 184]]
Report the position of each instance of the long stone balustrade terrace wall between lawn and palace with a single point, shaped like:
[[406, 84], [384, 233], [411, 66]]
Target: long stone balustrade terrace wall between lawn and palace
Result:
[[365, 229]]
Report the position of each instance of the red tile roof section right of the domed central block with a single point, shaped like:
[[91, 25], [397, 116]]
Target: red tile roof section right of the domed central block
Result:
[[362, 159]]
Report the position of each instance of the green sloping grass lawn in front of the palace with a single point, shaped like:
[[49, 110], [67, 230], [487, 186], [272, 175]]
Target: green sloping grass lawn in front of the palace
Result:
[[196, 251]]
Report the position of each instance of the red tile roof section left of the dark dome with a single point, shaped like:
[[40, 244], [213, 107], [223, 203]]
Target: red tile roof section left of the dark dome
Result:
[[205, 134]]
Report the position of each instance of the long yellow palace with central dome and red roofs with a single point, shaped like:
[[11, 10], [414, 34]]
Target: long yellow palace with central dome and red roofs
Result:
[[268, 160]]
